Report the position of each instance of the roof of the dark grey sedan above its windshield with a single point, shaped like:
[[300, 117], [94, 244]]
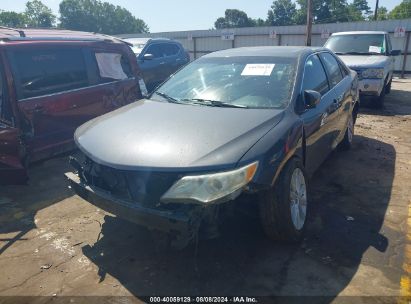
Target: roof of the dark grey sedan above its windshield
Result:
[[275, 51]]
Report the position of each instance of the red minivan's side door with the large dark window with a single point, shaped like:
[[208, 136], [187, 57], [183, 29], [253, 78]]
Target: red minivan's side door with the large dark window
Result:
[[51, 84]]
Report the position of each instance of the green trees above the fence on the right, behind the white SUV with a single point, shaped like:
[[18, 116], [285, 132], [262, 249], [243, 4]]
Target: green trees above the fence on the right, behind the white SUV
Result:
[[287, 12]]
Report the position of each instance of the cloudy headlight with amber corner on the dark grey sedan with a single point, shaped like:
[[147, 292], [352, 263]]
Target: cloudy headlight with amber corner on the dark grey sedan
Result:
[[210, 188]]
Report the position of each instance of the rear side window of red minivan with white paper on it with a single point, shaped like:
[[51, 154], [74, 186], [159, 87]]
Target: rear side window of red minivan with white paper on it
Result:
[[113, 66]]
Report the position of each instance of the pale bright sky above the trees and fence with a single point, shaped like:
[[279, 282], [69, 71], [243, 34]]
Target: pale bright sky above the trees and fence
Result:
[[179, 15]]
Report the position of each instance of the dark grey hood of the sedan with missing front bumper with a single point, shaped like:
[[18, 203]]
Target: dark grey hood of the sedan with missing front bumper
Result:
[[162, 135]]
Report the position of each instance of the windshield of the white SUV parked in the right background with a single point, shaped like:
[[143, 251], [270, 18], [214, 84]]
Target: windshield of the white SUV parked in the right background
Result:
[[357, 43]]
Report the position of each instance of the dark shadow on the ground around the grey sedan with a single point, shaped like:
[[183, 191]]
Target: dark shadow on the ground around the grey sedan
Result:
[[349, 195]]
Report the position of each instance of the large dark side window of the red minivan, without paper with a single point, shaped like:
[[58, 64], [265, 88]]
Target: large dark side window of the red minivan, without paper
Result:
[[45, 71]]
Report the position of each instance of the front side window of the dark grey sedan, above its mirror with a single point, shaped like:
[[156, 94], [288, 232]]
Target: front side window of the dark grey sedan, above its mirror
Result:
[[314, 76]]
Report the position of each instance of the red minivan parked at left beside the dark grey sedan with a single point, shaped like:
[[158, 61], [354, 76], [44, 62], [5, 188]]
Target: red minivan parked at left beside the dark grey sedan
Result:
[[51, 82]]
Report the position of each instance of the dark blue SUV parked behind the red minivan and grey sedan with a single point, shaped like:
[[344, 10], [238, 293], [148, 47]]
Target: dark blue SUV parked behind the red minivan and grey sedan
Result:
[[158, 58]]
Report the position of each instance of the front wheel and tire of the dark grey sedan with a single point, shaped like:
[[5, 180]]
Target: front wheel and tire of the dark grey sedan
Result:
[[283, 209]]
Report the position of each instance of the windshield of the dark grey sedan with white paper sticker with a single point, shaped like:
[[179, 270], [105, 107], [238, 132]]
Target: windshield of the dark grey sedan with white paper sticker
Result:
[[252, 82]]
